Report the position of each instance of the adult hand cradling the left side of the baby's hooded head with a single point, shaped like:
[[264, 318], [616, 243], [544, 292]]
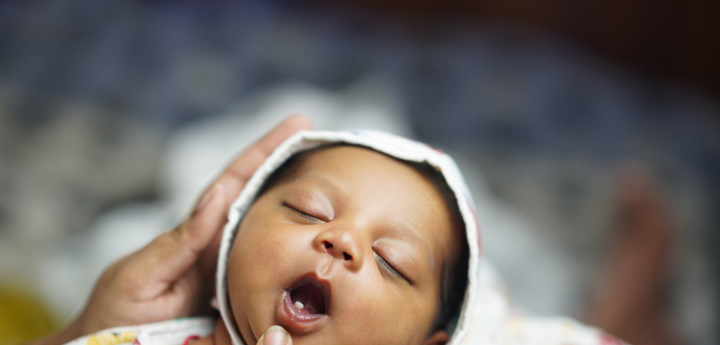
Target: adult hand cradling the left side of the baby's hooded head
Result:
[[173, 276]]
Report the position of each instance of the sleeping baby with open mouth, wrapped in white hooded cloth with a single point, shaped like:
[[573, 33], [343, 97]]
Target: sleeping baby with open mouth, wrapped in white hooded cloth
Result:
[[355, 238]]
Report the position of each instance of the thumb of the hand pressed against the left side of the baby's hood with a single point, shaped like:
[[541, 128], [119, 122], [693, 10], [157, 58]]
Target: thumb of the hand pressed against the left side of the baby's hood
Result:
[[171, 254]]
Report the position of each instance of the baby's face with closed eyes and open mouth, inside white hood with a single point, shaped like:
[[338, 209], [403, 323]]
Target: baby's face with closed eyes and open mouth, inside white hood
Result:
[[347, 249]]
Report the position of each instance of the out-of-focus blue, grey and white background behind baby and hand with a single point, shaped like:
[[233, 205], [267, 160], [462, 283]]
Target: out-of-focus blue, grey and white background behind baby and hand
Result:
[[589, 133]]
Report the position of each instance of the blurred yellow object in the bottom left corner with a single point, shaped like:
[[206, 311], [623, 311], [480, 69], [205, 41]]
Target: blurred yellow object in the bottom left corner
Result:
[[23, 316]]
